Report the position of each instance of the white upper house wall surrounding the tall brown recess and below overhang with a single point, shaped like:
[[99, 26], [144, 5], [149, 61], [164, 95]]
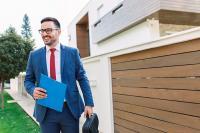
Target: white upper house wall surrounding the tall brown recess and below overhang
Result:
[[140, 33]]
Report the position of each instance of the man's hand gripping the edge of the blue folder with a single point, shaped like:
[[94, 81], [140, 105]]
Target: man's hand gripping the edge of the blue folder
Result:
[[39, 93]]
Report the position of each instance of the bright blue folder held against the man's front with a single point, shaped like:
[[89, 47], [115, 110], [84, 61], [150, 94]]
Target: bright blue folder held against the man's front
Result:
[[55, 93]]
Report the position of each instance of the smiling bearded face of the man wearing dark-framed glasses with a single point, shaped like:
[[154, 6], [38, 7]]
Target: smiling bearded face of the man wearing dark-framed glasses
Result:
[[50, 33]]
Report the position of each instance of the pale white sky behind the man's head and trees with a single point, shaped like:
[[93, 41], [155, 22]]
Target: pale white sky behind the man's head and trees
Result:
[[12, 12]]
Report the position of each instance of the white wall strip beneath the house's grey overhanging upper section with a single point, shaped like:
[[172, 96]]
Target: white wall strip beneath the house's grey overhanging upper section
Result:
[[144, 32]]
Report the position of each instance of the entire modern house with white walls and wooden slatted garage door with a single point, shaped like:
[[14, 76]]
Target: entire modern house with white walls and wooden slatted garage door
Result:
[[141, 59]]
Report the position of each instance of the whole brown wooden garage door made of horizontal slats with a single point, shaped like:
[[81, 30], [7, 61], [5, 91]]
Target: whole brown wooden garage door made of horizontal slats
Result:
[[158, 89]]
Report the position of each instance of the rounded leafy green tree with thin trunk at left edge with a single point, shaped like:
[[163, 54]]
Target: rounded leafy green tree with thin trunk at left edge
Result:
[[13, 56]]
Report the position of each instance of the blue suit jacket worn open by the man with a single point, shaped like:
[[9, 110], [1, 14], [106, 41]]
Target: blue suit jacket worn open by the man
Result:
[[71, 71]]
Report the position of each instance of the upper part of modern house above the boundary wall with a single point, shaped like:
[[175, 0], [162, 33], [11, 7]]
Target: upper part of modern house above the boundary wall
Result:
[[102, 23]]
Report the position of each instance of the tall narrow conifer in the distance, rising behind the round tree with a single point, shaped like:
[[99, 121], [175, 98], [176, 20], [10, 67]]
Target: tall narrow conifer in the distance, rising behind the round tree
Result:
[[26, 28]]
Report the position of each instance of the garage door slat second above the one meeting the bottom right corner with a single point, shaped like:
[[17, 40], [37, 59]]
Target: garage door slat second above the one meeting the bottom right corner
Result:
[[171, 106]]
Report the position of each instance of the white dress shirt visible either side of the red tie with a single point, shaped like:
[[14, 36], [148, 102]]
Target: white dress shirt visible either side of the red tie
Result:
[[57, 61]]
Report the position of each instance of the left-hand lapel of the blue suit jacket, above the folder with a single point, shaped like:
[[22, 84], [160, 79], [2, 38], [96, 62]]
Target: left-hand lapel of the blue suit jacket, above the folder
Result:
[[43, 61]]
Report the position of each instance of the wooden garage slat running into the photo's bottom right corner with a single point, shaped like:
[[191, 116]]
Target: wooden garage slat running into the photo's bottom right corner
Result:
[[154, 123]]
